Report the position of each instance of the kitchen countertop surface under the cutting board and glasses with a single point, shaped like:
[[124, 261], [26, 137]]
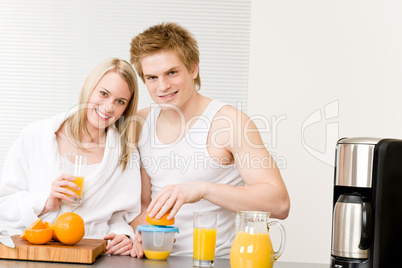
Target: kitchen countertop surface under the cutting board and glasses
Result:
[[126, 261]]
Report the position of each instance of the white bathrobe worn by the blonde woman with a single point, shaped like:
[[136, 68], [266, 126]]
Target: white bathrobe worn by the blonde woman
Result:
[[111, 198]]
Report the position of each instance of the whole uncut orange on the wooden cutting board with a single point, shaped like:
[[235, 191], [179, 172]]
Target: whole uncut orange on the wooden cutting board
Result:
[[69, 228]]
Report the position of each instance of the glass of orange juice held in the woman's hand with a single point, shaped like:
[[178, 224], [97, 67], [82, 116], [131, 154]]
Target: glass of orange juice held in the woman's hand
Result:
[[74, 164]]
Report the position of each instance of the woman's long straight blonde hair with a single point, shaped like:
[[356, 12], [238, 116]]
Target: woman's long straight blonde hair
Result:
[[77, 123]]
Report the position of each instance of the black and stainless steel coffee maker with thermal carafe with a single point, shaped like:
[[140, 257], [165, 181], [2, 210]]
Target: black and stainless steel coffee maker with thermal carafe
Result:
[[367, 204]]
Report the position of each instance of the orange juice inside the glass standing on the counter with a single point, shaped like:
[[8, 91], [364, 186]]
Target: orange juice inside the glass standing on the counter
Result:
[[204, 240]]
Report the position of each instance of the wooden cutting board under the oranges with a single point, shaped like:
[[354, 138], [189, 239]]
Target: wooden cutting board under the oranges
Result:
[[84, 251]]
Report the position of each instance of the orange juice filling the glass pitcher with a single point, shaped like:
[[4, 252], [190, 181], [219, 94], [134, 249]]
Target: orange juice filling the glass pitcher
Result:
[[251, 250]]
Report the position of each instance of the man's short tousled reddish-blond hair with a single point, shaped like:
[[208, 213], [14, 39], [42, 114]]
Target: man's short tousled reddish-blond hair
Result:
[[167, 36]]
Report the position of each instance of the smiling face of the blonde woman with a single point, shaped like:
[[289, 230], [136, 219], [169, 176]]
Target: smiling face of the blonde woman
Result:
[[108, 101]]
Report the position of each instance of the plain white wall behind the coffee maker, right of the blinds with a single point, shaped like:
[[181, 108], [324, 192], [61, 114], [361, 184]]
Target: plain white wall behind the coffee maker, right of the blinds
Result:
[[308, 56]]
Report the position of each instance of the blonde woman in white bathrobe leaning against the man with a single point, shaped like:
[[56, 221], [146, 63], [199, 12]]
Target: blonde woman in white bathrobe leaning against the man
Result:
[[101, 126]]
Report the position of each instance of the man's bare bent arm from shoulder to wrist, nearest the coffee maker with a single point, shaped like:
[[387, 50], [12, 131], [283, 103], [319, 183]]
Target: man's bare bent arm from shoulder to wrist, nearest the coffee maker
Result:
[[265, 189]]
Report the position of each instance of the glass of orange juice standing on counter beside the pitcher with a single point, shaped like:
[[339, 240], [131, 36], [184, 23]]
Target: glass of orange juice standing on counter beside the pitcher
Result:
[[205, 226]]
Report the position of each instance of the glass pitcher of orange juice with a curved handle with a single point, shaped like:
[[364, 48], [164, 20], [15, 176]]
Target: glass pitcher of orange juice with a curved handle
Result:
[[252, 246]]
